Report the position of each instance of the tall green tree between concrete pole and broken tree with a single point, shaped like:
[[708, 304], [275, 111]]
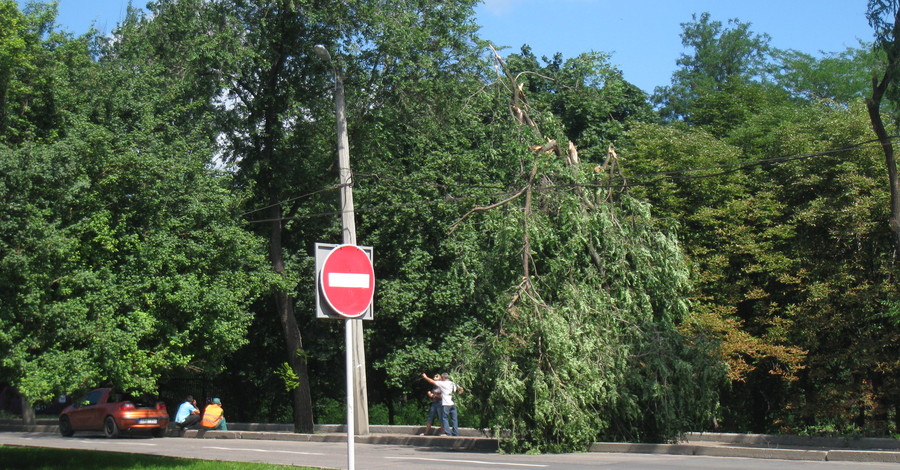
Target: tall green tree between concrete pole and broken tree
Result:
[[420, 145]]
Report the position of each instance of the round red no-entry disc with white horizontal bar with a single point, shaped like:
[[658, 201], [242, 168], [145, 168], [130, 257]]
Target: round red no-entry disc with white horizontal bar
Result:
[[347, 281]]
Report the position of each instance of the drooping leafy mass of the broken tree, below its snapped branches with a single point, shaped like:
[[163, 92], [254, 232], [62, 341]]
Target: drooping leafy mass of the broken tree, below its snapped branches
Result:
[[588, 347]]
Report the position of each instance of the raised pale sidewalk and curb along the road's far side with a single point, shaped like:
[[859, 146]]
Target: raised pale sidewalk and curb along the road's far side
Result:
[[758, 446]]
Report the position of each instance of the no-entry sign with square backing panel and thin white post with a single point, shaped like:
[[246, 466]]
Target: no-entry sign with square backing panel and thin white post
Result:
[[345, 287]]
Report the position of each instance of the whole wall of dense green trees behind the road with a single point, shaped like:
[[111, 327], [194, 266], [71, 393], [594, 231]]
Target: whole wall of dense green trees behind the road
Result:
[[589, 262]]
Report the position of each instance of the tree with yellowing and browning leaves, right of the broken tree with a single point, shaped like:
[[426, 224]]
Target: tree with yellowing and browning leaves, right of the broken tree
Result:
[[774, 216]]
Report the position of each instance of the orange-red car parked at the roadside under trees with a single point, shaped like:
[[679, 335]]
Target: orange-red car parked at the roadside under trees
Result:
[[111, 412]]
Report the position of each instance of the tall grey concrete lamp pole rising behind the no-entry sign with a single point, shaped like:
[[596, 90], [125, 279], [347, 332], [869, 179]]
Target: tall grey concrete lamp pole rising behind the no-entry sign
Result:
[[348, 223]]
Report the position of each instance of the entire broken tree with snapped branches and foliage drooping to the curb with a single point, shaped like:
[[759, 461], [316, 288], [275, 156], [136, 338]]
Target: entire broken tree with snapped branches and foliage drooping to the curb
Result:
[[585, 291]]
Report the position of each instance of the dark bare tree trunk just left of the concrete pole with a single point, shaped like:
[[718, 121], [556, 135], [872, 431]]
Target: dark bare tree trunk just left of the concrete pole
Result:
[[284, 305]]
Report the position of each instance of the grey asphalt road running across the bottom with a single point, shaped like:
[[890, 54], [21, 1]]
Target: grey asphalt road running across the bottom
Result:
[[333, 455]]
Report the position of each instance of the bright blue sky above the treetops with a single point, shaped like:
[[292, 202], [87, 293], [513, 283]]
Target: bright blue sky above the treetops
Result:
[[643, 36]]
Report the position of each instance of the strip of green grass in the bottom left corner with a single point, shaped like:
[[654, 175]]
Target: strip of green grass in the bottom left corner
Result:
[[36, 458]]
